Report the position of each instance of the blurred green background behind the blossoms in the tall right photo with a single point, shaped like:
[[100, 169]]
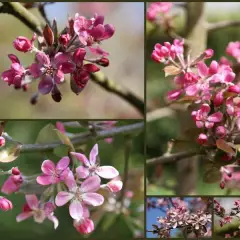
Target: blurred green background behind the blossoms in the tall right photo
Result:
[[161, 131]]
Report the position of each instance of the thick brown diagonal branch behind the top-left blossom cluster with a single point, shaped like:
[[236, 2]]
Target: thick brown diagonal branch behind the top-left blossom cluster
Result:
[[20, 12]]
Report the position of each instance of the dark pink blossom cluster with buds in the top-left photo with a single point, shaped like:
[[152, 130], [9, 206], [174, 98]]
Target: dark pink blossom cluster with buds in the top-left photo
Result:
[[74, 51]]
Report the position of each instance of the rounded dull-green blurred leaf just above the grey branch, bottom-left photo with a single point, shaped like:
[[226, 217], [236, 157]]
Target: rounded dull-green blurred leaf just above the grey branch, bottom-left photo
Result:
[[47, 134]]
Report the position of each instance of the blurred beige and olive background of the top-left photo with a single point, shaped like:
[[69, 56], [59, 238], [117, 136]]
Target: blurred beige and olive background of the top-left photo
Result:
[[126, 67]]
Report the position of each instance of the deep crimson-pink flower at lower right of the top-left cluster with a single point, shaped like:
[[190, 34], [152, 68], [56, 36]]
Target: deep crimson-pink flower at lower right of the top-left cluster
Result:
[[82, 72]]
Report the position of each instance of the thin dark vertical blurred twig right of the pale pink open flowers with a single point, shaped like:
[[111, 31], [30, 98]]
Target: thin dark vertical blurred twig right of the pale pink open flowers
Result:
[[128, 146]]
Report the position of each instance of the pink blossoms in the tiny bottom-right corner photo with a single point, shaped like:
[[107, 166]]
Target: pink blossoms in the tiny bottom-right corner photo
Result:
[[227, 217]]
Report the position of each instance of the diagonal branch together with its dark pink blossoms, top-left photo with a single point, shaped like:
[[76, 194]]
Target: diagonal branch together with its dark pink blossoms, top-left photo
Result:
[[81, 78]]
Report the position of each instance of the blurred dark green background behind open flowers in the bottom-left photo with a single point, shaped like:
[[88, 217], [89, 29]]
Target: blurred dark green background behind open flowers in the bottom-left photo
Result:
[[108, 224]]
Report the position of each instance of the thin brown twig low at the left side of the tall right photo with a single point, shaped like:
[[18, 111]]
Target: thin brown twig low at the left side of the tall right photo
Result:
[[171, 158]]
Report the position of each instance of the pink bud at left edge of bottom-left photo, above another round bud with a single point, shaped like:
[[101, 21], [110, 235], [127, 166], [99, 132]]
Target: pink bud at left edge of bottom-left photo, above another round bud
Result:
[[12, 184]]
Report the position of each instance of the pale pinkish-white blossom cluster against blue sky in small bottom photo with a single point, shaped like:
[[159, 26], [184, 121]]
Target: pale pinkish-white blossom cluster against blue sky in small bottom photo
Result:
[[180, 216]]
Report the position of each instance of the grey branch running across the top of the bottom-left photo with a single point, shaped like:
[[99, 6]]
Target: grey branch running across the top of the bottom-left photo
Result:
[[83, 138]]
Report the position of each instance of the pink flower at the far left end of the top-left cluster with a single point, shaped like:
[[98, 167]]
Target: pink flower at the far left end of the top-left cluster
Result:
[[15, 74]]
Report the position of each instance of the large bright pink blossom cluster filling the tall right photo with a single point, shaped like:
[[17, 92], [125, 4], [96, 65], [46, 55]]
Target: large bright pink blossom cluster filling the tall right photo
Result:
[[212, 93]]
